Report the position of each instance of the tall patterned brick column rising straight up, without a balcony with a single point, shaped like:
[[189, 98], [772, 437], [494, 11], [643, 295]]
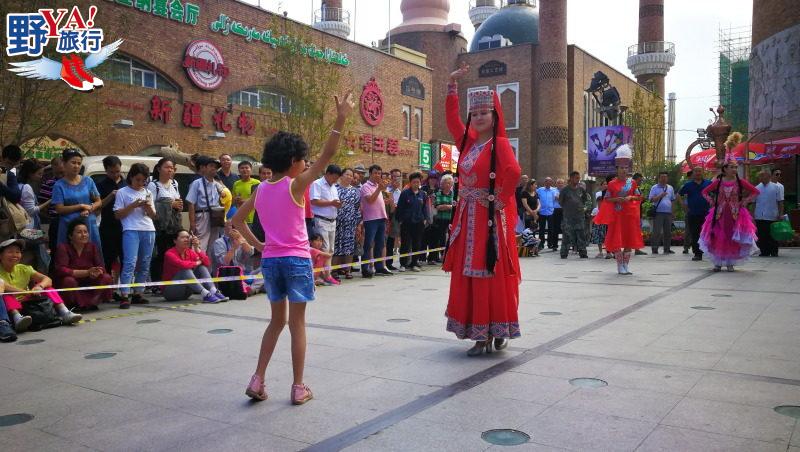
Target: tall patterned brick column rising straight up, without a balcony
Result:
[[552, 128]]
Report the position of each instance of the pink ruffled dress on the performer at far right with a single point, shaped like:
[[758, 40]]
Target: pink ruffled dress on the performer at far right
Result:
[[729, 233]]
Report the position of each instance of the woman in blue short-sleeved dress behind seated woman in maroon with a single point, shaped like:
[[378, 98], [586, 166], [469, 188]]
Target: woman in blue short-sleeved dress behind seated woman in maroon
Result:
[[76, 196]]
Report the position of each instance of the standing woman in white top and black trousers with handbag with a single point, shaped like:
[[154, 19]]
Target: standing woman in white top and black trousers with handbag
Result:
[[169, 205]]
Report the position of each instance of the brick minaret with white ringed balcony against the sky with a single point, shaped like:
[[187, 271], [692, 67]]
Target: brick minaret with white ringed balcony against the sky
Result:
[[651, 59]]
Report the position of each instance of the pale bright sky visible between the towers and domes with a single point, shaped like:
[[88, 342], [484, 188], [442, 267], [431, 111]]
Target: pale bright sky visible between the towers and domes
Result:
[[693, 25]]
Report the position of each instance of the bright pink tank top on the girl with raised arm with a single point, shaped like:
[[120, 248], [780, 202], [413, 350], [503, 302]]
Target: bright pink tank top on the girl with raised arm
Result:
[[282, 219]]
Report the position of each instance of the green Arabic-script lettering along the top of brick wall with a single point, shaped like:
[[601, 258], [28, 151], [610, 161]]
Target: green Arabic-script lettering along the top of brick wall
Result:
[[225, 25]]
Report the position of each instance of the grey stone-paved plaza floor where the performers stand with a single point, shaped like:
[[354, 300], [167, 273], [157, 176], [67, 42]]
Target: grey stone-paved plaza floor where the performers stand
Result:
[[693, 361]]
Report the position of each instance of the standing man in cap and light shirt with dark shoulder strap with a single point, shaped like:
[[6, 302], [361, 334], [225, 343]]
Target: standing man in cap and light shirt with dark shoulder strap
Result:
[[202, 197]]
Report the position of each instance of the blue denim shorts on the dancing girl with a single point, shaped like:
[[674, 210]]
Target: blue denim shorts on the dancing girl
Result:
[[288, 278]]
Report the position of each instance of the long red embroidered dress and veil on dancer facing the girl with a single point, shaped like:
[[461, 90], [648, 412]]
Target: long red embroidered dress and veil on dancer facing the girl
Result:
[[482, 303]]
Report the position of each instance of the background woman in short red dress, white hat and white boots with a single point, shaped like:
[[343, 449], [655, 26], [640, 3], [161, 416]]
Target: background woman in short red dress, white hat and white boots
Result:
[[620, 211]]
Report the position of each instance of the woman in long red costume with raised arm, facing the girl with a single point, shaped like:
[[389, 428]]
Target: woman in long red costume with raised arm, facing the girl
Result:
[[481, 255]]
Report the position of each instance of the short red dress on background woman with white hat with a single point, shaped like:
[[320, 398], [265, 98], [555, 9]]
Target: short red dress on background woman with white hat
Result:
[[623, 219]]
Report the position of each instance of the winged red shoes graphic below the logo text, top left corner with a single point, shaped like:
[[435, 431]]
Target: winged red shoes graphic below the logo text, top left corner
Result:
[[72, 69]]
